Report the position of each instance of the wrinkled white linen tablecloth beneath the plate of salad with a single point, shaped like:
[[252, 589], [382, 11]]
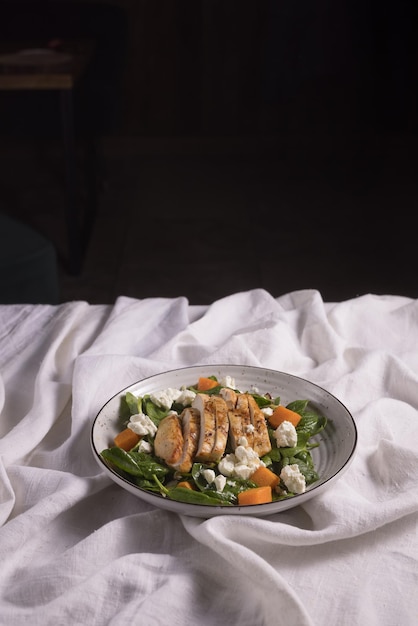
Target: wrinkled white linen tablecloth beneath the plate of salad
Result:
[[75, 548]]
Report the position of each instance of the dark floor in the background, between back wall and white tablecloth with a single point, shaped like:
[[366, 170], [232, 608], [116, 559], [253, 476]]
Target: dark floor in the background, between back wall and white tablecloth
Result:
[[206, 219]]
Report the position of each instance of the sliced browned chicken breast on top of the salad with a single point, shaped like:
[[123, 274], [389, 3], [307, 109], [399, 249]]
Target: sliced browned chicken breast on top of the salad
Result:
[[203, 431]]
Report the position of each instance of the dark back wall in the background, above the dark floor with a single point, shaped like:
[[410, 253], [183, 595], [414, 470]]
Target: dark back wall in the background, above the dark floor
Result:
[[222, 67]]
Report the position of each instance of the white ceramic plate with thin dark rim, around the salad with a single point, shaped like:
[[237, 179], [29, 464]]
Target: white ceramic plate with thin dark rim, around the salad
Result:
[[332, 458]]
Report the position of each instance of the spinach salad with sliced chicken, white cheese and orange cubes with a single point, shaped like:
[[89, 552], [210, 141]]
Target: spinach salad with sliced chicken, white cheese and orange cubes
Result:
[[210, 443]]
